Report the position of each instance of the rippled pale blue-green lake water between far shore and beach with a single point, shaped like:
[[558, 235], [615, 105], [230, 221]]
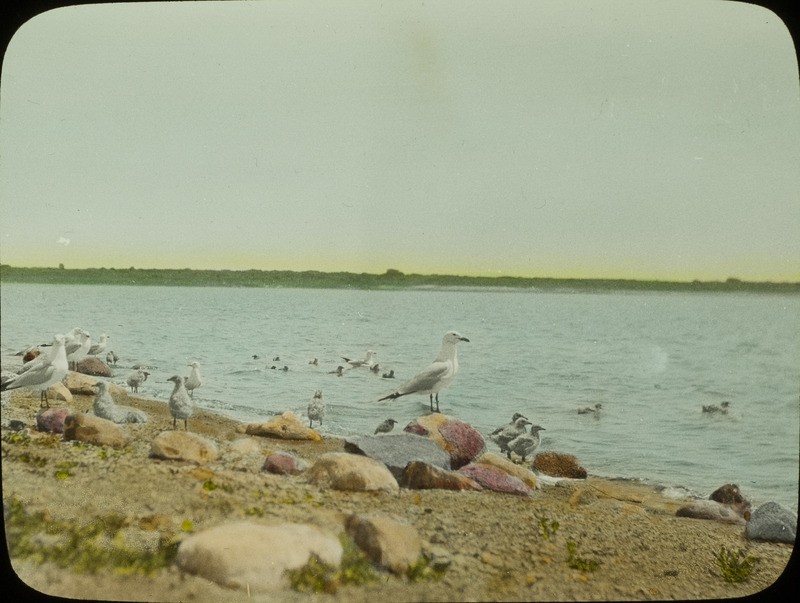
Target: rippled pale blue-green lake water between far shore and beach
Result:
[[651, 359]]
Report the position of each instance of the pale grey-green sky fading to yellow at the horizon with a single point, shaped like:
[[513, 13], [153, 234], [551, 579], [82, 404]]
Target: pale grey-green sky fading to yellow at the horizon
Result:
[[642, 139]]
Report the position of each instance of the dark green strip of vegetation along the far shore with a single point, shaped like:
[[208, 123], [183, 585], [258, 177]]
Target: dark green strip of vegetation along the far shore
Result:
[[391, 279]]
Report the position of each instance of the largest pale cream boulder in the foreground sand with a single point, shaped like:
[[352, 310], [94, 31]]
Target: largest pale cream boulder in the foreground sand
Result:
[[255, 556]]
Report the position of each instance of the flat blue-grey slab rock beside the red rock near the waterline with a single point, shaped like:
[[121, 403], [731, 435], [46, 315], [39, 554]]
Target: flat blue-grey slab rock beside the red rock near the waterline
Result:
[[396, 450]]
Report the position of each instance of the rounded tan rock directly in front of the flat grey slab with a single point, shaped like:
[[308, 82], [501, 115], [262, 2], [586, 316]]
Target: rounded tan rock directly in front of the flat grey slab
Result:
[[344, 471]]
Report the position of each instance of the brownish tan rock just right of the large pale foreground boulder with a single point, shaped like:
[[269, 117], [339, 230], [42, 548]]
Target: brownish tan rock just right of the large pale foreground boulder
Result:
[[388, 543]]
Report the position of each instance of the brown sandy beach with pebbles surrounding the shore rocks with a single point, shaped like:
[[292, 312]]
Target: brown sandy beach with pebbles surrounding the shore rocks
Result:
[[495, 545]]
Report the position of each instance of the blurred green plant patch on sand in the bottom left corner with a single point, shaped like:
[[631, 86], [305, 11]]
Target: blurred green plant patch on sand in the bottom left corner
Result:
[[90, 548]]
